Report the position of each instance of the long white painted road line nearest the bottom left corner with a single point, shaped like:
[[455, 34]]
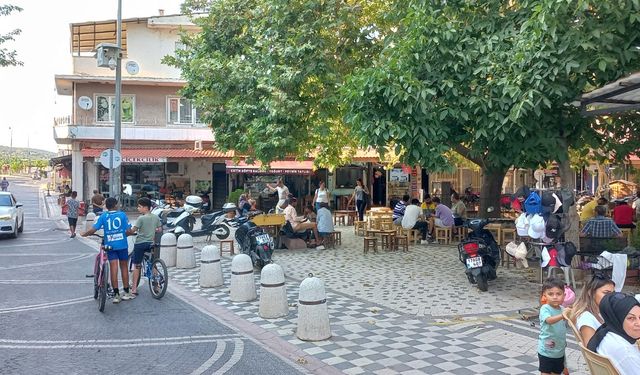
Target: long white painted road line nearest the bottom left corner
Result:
[[122, 343]]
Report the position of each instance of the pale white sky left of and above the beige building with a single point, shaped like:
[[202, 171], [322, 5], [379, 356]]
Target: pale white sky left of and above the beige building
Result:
[[28, 101]]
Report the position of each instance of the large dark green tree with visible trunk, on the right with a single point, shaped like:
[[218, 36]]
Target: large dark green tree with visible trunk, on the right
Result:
[[491, 80]]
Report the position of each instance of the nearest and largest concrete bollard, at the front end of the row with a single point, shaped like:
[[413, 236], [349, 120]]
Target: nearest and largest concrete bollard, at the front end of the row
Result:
[[313, 314]]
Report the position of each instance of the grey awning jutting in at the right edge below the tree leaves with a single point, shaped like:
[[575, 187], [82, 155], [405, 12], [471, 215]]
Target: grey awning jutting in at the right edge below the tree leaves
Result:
[[619, 96]]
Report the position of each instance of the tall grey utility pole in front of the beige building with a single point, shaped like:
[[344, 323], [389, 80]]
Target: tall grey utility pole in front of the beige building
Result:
[[115, 180]]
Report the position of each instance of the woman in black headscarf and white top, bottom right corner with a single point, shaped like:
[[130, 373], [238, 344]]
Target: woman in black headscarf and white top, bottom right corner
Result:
[[616, 338]]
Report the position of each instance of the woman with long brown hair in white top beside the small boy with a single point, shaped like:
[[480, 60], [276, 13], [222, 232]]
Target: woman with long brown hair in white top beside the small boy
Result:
[[586, 310]]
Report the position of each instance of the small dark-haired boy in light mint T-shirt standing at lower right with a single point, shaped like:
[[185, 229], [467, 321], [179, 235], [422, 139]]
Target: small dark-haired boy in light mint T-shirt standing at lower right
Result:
[[553, 330]]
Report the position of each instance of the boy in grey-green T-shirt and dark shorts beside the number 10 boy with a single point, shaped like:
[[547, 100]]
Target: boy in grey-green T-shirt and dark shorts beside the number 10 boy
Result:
[[146, 226]]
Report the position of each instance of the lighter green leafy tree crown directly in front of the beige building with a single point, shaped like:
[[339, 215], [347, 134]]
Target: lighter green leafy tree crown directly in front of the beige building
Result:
[[266, 73]]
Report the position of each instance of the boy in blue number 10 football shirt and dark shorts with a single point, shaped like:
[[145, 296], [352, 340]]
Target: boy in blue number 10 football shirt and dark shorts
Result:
[[115, 225]]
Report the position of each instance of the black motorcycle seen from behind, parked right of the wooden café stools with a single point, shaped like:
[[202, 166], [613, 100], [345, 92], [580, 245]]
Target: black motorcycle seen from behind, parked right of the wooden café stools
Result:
[[480, 254]]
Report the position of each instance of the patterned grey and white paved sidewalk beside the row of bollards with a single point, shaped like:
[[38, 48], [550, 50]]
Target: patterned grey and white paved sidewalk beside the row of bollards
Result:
[[411, 313]]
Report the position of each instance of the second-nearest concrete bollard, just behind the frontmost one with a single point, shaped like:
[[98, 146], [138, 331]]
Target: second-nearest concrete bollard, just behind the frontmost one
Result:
[[273, 292]]
